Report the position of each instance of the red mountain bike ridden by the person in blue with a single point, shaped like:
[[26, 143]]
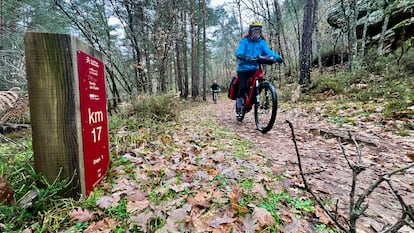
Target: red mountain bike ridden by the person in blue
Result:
[[262, 94]]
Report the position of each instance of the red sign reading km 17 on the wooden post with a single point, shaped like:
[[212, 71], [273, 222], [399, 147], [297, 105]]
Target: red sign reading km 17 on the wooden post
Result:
[[94, 118]]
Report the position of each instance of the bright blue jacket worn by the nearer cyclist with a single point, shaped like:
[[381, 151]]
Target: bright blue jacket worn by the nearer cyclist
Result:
[[253, 49]]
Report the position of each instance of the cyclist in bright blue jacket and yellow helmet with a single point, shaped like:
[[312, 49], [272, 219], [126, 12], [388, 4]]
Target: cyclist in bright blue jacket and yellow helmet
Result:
[[250, 47]]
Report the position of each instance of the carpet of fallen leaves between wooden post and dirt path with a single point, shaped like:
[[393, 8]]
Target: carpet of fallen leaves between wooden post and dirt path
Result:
[[194, 176]]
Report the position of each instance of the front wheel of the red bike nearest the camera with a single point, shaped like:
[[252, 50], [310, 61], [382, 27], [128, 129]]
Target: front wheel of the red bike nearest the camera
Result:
[[265, 107]]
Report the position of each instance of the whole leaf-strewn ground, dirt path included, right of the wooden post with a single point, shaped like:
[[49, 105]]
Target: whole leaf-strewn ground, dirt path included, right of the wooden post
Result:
[[206, 172]]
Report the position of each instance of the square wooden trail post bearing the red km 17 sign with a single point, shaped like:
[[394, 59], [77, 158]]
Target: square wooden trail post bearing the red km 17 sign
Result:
[[68, 110]]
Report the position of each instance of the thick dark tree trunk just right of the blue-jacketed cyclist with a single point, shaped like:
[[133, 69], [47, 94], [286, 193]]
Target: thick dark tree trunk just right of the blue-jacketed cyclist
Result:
[[306, 49]]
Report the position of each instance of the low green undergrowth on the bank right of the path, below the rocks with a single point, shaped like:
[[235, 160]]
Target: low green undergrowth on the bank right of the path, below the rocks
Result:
[[378, 84]]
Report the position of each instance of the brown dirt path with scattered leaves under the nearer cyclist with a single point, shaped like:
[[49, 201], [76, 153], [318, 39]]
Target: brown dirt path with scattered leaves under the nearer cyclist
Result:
[[330, 175]]
